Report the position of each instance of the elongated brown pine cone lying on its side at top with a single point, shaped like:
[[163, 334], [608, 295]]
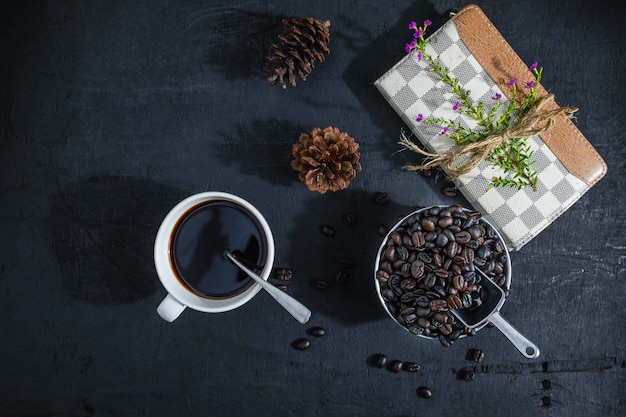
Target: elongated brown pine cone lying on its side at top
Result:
[[304, 43]]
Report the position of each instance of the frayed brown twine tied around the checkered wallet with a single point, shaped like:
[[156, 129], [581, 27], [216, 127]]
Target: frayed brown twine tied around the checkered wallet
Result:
[[535, 121]]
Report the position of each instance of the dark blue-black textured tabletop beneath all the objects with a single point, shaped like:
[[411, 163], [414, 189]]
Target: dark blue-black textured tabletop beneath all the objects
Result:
[[111, 112]]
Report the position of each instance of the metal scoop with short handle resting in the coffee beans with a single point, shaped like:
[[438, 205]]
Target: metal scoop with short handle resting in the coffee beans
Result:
[[489, 311]]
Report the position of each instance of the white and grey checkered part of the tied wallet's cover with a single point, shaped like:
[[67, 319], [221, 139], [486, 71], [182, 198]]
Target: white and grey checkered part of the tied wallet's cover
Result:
[[411, 89]]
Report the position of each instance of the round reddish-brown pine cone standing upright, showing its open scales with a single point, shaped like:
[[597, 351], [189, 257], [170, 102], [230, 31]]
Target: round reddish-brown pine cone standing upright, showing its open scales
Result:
[[327, 159]]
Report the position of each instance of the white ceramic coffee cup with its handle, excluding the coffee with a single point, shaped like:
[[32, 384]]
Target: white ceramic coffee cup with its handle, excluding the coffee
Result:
[[179, 295]]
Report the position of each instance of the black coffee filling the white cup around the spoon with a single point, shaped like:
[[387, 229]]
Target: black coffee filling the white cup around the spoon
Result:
[[201, 237]]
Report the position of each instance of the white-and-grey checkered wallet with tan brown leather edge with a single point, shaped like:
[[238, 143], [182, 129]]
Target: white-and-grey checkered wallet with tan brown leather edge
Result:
[[469, 45]]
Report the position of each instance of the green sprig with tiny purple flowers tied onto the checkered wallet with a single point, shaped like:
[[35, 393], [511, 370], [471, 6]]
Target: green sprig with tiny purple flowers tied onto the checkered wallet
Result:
[[510, 153]]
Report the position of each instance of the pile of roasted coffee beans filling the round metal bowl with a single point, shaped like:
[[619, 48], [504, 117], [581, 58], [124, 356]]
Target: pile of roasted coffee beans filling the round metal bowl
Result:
[[427, 266]]
